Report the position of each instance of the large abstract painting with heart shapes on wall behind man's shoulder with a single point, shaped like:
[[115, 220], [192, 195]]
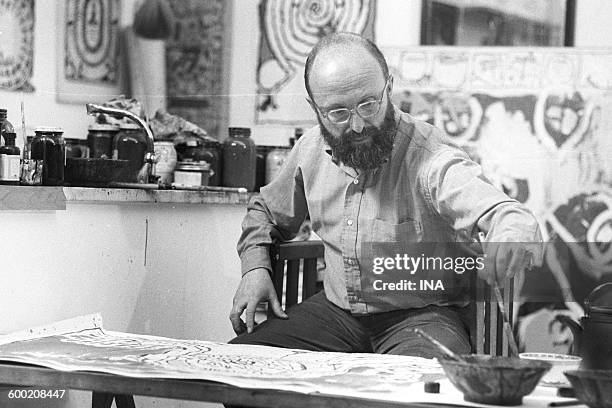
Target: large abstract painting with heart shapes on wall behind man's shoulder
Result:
[[538, 123]]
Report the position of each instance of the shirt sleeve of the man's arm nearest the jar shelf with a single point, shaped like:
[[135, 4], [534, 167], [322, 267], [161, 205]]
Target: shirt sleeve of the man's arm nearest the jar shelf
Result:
[[275, 215]]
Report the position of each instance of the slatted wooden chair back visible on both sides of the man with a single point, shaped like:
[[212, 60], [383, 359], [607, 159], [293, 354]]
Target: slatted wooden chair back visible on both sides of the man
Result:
[[294, 267]]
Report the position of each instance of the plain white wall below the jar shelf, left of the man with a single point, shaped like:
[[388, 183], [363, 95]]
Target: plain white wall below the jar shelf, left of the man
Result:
[[91, 258]]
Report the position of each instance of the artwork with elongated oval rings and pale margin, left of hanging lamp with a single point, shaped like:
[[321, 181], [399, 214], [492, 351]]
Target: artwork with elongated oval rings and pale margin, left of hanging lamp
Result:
[[89, 63]]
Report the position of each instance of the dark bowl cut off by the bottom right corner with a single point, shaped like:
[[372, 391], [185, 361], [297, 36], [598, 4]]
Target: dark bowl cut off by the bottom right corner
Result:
[[592, 387]]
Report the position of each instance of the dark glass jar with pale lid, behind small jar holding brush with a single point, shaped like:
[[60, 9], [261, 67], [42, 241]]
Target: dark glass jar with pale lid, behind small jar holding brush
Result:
[[49, 146]]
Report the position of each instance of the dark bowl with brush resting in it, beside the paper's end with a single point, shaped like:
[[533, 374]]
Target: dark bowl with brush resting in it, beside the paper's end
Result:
[[494, 380]]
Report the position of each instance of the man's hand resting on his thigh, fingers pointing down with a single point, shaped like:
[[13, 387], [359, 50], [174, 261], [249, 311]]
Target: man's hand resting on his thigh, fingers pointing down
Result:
[[255, 287]]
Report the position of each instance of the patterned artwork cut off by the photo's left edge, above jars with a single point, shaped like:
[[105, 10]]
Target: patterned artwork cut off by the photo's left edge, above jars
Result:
[[17, 45]]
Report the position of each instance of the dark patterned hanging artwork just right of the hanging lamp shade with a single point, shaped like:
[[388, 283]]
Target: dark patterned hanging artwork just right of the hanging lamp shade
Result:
[[197, 62]]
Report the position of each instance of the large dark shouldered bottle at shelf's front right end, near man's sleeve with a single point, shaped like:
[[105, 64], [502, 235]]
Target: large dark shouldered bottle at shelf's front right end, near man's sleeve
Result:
[[239, 159]]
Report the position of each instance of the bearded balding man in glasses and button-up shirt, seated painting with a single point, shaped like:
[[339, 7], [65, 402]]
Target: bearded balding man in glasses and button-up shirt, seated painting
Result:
[[370, 174]]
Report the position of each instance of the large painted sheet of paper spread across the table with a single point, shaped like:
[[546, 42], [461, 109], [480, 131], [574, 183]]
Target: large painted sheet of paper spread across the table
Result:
[[83, 345]]
